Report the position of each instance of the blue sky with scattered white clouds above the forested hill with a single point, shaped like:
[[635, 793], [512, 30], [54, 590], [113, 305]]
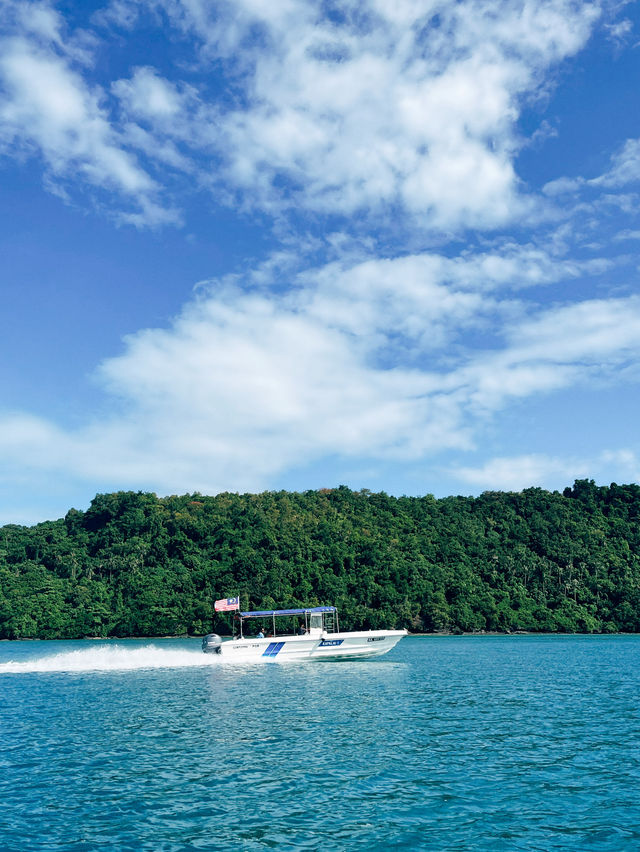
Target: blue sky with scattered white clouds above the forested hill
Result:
[[259, 245]]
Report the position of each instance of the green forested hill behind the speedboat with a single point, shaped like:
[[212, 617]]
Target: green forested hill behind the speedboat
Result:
[[134, 564]]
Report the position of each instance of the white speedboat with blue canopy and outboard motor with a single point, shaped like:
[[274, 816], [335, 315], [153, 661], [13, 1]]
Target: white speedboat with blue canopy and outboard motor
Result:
[[316, 637]]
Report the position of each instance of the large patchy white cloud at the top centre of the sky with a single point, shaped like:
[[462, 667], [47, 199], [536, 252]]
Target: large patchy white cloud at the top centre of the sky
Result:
[[410, 107]]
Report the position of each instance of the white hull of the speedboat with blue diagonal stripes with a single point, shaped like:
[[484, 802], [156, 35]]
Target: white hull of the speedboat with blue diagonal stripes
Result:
[[327, 646]]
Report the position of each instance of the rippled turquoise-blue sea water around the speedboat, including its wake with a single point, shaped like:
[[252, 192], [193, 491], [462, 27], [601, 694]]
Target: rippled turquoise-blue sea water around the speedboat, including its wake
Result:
[[446, 743]]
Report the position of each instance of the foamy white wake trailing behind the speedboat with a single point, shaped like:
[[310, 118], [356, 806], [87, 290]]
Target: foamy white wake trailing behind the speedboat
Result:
[[107, 658]]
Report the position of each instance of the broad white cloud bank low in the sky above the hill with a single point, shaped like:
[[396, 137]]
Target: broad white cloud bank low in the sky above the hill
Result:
[[249, 382]]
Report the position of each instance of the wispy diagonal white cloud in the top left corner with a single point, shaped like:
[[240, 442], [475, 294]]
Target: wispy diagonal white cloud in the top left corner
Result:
[[46, 107]]
